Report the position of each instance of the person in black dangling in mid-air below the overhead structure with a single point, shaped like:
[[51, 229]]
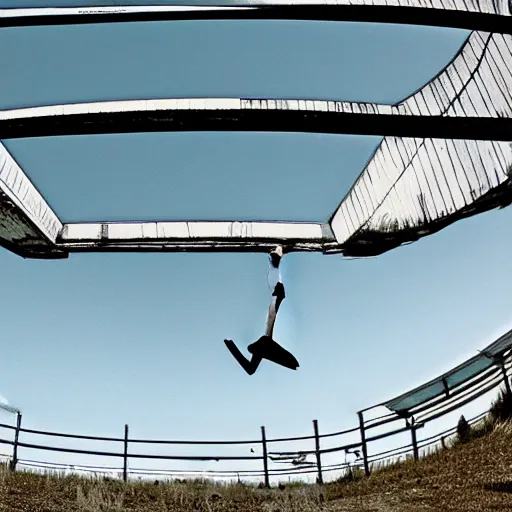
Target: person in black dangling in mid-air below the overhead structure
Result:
[[266, 347]]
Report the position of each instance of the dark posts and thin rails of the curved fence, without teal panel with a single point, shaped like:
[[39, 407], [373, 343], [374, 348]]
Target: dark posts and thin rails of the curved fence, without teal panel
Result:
[[437, 408]]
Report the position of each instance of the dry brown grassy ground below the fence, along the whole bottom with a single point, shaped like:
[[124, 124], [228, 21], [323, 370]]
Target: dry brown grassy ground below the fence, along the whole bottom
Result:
[[474, 476]]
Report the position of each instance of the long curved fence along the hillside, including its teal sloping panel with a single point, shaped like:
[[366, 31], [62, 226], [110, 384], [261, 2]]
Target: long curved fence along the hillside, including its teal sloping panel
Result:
[[406, 414]]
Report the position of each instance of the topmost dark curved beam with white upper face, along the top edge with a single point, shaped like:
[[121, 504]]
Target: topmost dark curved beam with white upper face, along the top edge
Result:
[[484, 15]]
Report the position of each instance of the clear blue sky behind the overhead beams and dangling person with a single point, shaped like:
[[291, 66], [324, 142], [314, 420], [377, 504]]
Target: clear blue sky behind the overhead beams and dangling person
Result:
[[97, 341]]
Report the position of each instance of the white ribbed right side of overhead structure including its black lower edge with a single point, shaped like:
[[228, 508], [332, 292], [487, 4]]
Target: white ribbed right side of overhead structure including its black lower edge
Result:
[[412, 187]]
